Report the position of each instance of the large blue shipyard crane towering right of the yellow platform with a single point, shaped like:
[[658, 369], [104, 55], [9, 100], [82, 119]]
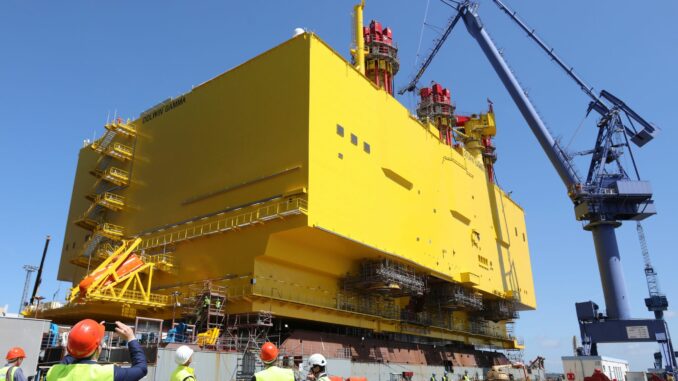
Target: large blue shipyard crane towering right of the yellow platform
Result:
[[604, 198]]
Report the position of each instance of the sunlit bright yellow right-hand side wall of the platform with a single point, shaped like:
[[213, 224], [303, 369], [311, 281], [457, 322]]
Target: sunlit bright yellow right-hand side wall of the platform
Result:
[[381, 178]]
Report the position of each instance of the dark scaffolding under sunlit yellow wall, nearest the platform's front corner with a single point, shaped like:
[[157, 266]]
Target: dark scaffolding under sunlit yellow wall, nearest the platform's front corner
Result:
[[385, 277]]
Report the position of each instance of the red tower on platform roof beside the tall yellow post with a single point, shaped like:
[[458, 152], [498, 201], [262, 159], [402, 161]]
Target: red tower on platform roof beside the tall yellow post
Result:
[[381, 57]]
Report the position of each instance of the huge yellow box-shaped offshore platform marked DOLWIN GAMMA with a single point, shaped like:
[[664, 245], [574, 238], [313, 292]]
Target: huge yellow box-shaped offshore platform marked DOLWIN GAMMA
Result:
[[297, 184]]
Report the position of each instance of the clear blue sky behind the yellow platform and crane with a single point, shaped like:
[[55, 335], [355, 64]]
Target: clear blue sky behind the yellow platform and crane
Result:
[[67, 65]]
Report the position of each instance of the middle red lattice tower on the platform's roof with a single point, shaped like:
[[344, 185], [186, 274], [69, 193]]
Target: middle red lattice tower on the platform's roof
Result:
[[435, 105]]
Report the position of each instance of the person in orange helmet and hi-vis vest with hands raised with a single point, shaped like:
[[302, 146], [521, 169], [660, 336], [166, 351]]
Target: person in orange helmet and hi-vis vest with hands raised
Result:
[[84, 347]]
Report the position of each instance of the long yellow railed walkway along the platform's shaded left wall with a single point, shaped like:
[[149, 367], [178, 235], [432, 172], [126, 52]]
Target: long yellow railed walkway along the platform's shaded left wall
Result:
[[188, 231]]
